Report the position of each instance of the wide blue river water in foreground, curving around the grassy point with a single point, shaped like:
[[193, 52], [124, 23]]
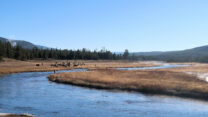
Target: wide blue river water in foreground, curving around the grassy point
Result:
[[33, 93]]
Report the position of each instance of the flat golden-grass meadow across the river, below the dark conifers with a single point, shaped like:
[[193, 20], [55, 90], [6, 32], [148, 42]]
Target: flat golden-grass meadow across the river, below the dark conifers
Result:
[[15, 66]]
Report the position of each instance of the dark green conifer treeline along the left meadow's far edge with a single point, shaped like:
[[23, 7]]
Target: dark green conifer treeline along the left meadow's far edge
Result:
[[17, 52]]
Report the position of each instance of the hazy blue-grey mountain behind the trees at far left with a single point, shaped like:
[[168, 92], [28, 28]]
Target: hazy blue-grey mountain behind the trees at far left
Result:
[[24, 44]]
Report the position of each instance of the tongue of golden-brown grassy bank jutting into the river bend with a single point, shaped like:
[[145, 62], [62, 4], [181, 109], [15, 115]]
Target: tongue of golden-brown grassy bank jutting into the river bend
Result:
[[145, 81]]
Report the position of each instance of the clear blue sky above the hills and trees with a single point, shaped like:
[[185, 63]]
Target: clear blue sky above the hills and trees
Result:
[[137, 25]]
